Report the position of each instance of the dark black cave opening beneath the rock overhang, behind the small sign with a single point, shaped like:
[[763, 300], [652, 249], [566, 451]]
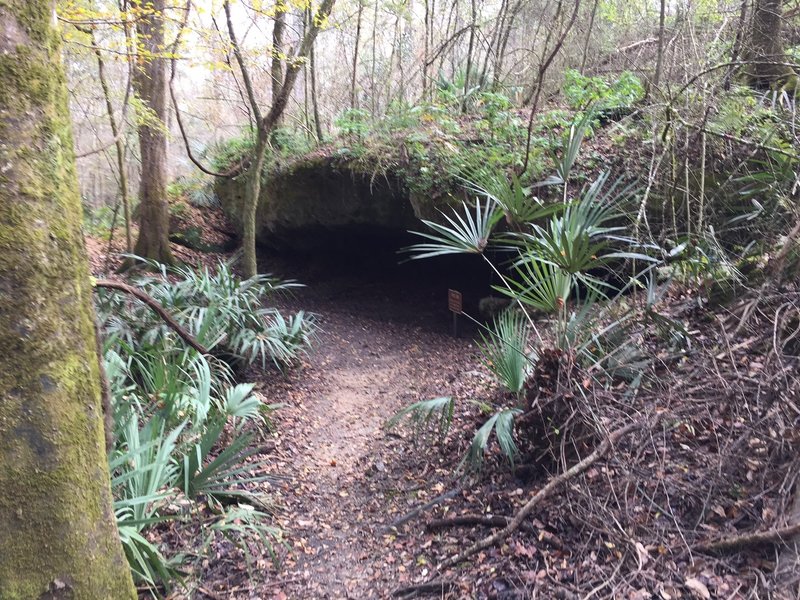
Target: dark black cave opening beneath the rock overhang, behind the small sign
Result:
[[361, 271]]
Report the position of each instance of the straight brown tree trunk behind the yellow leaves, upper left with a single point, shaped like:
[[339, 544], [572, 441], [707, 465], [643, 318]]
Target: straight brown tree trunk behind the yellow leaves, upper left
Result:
[[150, 83]]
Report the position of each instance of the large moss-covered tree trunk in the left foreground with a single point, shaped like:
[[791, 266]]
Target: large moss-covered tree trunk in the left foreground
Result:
[[58, 537]]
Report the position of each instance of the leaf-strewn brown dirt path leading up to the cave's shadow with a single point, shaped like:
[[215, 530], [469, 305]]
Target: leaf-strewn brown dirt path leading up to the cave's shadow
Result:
[[347, 474]]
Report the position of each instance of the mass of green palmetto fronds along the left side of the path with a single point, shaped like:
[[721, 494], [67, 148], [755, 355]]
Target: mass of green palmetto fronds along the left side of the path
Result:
[[186, 433]]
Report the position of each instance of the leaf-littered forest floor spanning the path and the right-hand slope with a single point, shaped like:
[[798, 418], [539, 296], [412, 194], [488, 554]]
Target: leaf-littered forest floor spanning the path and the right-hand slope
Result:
[[366, 511]]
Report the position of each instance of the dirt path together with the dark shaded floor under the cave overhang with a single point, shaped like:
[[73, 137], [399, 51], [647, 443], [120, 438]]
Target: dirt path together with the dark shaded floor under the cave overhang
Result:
[[347, 476]]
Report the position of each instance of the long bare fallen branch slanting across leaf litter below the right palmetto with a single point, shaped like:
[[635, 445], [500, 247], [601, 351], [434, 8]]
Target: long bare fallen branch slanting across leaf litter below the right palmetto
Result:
[[543, 494]]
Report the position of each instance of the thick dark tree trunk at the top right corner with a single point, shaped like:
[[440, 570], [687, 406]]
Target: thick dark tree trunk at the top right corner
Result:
[[765, 48]]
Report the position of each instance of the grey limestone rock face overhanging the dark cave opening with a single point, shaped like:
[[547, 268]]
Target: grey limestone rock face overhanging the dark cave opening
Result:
[[314, 204]]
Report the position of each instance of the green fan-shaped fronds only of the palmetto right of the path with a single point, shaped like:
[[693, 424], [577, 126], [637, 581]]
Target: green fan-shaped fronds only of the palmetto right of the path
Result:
[[559, 253]]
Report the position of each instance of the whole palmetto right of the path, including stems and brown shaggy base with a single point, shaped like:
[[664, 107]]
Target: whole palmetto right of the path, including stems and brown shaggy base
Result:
[[553, 262]]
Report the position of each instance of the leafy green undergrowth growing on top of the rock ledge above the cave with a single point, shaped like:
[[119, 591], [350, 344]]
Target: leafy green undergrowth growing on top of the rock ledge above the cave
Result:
[[430, 146]]
